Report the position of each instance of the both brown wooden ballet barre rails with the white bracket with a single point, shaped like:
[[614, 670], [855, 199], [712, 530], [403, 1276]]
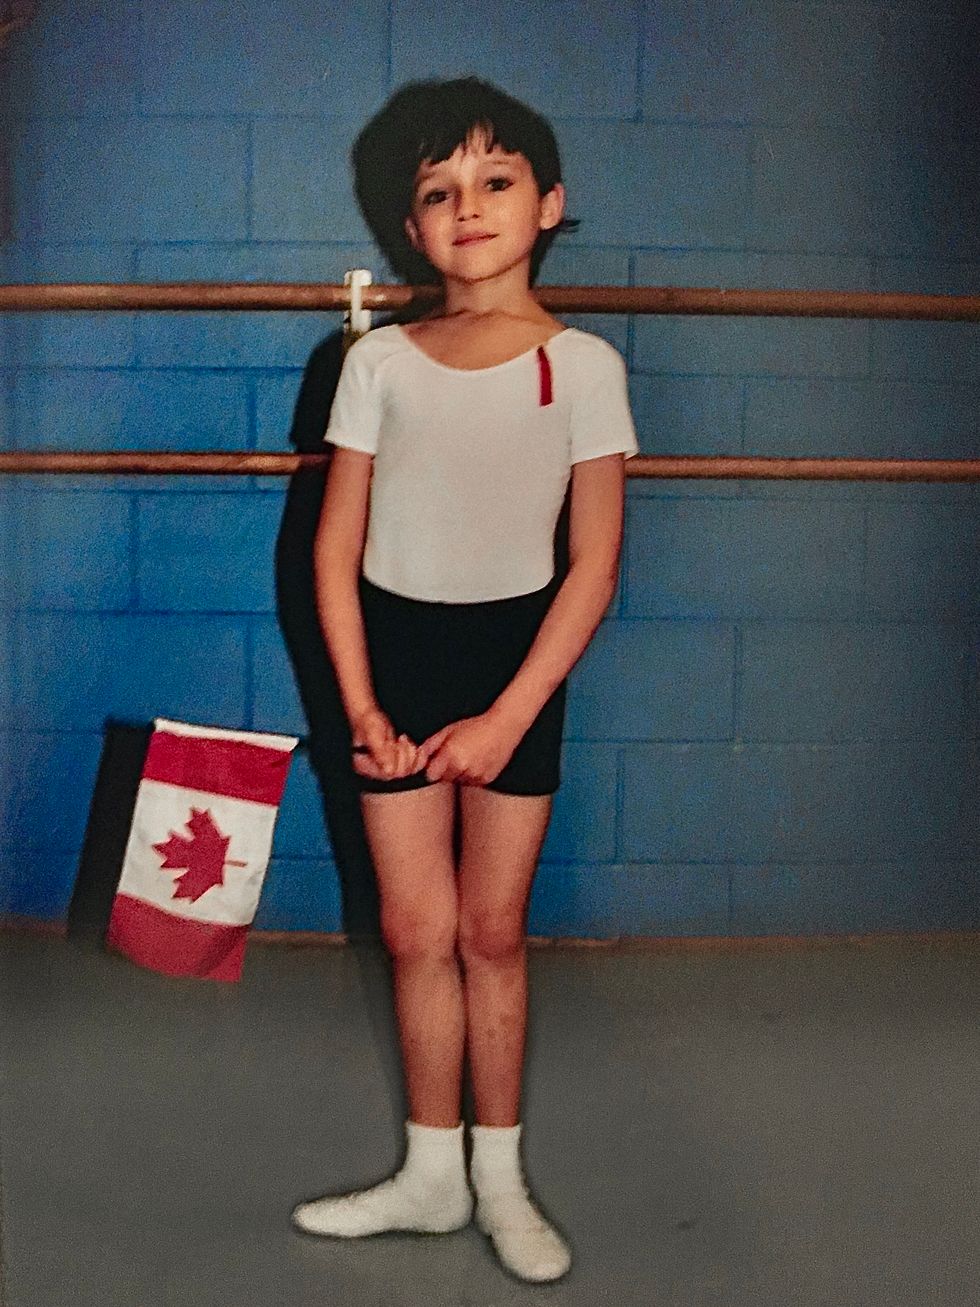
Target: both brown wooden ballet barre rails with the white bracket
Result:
[[359, 297]]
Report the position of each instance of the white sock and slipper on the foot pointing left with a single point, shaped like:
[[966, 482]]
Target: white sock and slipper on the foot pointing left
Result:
[[428, 1194]]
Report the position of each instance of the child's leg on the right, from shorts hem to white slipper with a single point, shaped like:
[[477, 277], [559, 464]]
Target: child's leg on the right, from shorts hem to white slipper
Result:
[[502, 837]]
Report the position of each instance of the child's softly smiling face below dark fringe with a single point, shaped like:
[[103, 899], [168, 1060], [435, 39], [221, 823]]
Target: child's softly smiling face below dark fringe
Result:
[[479, 214]]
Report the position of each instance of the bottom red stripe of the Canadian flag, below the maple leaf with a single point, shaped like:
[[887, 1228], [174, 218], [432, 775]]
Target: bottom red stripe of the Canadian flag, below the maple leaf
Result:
[[176, 946]]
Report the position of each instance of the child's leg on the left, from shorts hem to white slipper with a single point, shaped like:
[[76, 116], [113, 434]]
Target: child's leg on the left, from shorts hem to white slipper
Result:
[[411, 840]]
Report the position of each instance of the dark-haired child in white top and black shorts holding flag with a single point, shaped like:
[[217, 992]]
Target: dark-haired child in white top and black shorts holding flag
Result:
[[457, 438]]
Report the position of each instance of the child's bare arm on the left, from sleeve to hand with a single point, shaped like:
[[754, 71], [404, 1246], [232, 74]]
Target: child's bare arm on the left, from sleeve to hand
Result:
[[338, 552]]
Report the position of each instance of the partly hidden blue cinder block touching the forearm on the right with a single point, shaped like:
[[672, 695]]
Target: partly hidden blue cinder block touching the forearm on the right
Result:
[[647, 680]]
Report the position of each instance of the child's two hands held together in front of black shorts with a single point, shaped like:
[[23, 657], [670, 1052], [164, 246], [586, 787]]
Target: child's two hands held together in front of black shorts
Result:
[[474, 751]]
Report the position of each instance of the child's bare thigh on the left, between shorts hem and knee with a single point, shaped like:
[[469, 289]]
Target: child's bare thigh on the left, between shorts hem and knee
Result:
[[410, 835]]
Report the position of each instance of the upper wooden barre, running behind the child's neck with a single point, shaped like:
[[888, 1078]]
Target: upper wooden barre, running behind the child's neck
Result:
[[600, 300]]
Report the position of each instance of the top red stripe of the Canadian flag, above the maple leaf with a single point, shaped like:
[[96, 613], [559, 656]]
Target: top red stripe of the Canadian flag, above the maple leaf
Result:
[[232, 768]]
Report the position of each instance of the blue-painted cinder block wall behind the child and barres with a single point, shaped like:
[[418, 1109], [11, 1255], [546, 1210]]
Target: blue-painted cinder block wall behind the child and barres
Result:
[[778, 726]]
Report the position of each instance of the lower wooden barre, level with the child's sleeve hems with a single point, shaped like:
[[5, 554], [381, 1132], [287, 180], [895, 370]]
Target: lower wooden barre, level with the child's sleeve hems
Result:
[[244, 463]]
